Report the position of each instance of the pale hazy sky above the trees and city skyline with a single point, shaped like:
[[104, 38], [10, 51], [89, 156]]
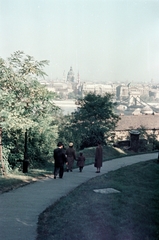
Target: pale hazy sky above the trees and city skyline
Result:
[[105, 40]]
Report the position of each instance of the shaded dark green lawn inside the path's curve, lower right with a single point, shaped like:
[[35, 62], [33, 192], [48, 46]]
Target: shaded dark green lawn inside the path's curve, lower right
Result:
[[132, 214]]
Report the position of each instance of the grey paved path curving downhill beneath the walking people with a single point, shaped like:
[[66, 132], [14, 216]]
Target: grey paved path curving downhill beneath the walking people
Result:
[[20, 208]]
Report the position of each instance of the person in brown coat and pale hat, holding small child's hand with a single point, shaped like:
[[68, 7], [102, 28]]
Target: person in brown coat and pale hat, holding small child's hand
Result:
[[71, 156]]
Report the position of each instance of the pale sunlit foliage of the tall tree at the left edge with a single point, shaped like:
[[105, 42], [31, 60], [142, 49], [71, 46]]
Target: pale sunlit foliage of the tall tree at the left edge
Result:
[[25, 104]]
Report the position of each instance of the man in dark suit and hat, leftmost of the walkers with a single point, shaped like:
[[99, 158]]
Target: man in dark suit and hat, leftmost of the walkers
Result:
[[60, 160]]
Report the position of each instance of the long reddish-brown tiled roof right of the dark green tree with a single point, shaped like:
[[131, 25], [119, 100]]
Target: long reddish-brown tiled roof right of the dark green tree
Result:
[[134, 122]]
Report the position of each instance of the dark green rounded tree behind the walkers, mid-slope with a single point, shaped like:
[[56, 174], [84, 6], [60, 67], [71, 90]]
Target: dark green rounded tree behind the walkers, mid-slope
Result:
[[93, 121]]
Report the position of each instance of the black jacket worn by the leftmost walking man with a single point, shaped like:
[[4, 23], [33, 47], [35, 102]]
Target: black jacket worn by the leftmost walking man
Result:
[[59, 156]]
